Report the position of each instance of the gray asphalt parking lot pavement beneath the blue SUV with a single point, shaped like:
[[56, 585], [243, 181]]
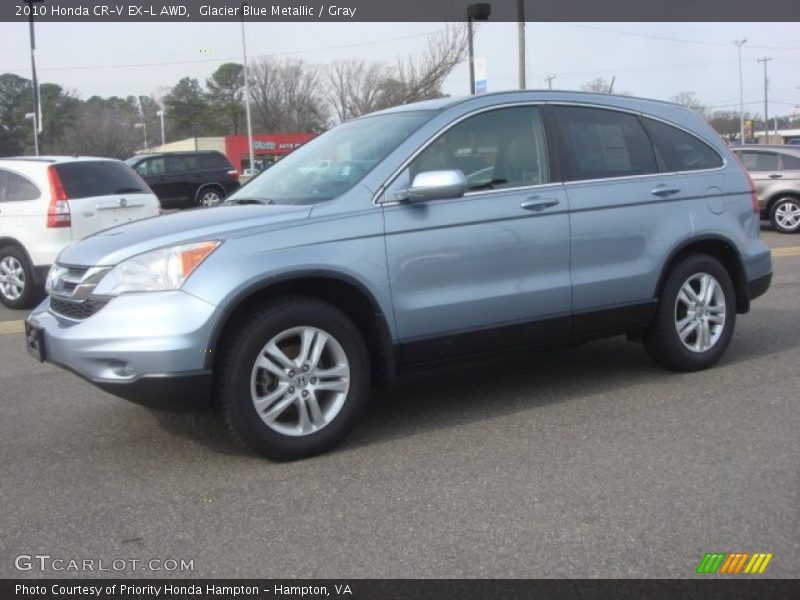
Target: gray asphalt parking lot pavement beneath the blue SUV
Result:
[[583, 462]]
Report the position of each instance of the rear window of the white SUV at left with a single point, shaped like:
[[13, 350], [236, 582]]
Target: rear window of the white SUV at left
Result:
[[83, 179]]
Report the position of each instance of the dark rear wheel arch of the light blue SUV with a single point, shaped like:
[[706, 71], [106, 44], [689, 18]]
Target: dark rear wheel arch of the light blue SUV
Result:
[[721, 248]]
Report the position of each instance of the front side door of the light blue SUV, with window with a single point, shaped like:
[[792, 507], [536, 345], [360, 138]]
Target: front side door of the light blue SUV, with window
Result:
[[489, 269]]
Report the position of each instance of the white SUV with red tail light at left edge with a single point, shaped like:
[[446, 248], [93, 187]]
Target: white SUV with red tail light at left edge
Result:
[[49, 202]]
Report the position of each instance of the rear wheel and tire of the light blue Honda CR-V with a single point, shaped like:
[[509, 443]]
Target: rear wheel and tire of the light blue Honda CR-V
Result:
[[693, 352]]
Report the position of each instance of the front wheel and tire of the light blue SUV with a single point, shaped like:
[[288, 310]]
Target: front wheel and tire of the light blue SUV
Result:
[[286, 434]]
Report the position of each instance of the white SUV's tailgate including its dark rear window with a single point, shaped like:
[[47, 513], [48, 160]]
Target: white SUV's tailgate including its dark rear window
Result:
[[104, 193]]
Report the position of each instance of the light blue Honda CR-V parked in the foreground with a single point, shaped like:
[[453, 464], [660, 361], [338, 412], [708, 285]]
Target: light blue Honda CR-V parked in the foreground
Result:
[[600, 215]]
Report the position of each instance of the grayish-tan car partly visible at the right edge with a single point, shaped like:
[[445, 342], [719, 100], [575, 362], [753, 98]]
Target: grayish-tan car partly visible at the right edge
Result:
[[776, 173]]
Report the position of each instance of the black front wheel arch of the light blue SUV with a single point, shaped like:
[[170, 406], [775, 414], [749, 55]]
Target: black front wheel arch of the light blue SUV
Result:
[[342, 291]]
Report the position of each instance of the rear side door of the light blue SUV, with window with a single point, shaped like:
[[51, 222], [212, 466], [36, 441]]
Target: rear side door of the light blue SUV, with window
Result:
[[623, 214]]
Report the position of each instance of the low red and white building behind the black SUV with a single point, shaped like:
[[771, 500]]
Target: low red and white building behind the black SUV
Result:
[[267, 147]]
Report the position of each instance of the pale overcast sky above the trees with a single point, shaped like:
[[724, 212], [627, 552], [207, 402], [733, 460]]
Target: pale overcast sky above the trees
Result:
[[654, 60]]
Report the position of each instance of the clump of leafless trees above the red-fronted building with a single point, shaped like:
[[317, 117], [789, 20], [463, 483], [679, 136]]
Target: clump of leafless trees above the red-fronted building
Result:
[[287, 96]]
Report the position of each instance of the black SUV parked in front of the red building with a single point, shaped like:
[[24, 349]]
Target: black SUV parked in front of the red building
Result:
[[187, 179]]
